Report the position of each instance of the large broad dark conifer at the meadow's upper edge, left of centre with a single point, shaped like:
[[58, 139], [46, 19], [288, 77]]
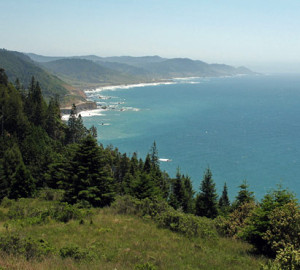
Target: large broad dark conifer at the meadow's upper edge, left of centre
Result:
[[89, 178]]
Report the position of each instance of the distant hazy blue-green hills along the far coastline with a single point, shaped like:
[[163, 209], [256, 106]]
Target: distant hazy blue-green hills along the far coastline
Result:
[[93, 71]]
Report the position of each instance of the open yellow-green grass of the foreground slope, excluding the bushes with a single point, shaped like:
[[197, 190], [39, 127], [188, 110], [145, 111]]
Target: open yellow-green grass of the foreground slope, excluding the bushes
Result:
[[124, 241]]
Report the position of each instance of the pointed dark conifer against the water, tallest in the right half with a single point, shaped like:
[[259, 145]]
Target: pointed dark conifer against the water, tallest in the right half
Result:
[[206, 201]]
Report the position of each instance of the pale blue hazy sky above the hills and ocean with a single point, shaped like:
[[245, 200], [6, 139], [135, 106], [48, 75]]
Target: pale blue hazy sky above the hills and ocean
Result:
[[261, 34]]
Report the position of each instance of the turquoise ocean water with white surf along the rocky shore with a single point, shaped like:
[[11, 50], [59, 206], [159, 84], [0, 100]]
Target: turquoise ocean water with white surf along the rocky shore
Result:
[[241, 127]]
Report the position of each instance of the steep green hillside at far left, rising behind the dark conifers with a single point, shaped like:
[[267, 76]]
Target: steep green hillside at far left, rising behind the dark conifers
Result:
[[18, 65]]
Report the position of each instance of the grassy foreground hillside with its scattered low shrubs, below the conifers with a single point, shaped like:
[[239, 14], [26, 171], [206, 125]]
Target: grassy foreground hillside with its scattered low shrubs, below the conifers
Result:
[[86, 238]]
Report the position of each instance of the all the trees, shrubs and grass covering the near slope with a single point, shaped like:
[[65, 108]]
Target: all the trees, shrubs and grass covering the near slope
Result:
[[65, 197]]
